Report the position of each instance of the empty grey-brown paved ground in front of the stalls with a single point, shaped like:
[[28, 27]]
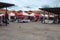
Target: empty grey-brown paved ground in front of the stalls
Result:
[[30, 31]]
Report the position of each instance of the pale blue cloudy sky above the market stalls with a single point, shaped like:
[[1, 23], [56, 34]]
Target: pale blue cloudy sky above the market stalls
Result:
[[32, 4]]
